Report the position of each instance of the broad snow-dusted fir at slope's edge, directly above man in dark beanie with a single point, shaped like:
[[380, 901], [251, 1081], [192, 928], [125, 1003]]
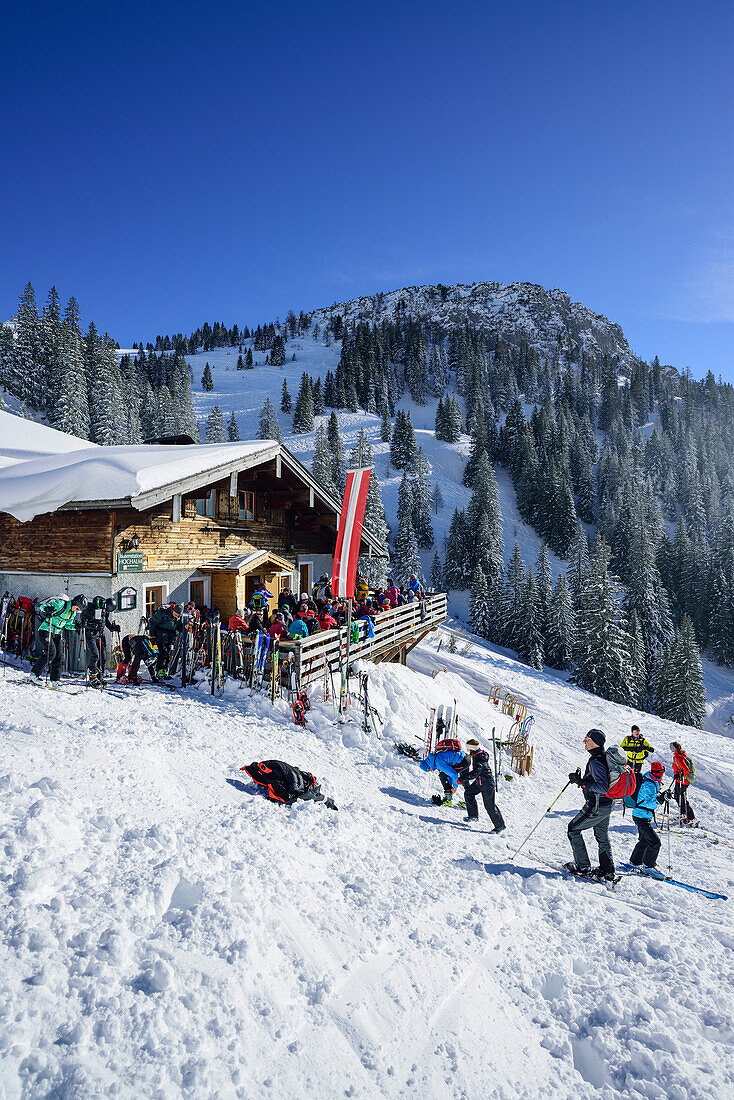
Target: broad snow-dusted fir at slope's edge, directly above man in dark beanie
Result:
[[602, 656]]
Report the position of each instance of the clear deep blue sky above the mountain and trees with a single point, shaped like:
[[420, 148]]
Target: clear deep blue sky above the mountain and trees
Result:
[[174, 164]]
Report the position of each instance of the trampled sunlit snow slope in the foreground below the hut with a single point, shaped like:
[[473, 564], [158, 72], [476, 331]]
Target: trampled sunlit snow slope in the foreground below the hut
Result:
[[166, 933]]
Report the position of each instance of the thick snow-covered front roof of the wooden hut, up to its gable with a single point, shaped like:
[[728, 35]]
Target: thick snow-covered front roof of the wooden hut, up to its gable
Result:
[[119, 475]]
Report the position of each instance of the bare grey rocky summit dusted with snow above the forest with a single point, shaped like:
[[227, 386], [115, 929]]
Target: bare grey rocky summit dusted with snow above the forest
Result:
[[549, 321]]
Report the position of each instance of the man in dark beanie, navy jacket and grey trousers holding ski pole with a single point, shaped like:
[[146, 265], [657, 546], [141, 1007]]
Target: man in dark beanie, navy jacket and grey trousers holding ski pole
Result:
[[596, 813]]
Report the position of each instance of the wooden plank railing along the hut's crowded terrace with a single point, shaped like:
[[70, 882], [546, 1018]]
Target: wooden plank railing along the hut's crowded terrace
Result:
[[396, 634]]
